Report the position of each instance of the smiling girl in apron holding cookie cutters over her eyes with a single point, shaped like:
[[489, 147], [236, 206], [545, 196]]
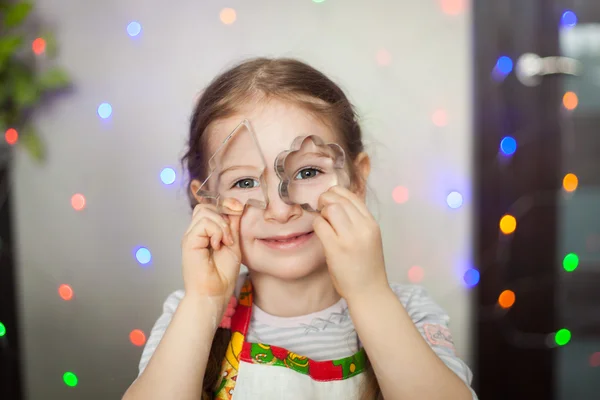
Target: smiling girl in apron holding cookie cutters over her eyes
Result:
[[315, 317]]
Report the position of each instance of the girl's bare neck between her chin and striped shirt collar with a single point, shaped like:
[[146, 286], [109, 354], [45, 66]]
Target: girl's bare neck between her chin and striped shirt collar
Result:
[[293, 298]]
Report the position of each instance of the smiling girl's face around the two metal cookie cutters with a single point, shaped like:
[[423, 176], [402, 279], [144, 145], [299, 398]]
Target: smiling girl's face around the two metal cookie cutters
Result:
[[279, 240]]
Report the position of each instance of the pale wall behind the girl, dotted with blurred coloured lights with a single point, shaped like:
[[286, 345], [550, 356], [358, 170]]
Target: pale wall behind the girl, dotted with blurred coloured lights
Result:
[[151, 82]]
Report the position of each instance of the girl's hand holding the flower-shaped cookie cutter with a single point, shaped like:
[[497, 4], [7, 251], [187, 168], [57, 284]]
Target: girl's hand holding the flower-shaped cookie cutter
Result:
[[352, 241]]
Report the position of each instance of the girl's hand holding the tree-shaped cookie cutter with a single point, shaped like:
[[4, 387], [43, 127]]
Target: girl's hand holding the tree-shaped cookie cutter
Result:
[[211, 253]]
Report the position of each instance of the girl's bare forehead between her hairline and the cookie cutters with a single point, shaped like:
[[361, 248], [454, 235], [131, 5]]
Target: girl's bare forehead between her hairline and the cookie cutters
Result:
[[275, 124]]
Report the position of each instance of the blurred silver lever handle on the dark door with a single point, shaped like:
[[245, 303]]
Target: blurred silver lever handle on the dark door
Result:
[[531, 68]]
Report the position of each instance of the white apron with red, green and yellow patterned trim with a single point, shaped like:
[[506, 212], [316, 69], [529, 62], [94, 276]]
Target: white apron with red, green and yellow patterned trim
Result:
[[252, 371]]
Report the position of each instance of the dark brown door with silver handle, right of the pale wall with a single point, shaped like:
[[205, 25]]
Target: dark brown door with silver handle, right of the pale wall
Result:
[[537, 162]]
